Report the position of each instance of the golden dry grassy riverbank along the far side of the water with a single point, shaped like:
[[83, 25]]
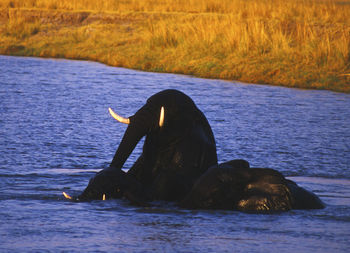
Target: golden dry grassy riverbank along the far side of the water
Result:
[[295, 43]]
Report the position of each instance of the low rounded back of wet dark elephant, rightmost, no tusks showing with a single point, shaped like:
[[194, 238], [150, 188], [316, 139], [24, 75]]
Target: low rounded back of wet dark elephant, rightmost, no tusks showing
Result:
[[235, 186]]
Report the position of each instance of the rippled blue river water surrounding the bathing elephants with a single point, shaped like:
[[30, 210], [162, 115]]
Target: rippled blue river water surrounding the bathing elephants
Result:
[[55, 133]]
